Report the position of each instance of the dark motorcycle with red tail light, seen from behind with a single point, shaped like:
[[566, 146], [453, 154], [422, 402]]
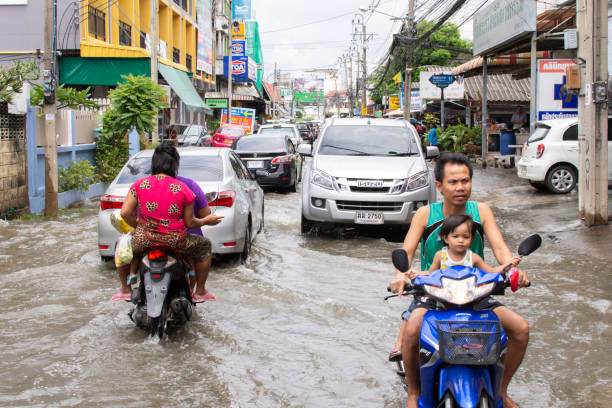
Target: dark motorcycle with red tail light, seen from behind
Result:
[[161, 294]]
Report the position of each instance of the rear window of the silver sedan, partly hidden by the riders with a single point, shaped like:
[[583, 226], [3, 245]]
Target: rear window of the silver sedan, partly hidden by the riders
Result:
[[198, 168]]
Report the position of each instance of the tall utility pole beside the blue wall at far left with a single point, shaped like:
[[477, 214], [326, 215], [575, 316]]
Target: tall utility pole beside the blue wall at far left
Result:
[[49, 111]]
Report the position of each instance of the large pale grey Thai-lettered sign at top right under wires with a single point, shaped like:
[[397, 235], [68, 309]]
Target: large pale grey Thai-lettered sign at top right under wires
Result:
[[501, 22]]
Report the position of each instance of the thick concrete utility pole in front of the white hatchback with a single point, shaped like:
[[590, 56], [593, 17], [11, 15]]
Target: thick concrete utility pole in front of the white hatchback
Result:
[[593, 111]]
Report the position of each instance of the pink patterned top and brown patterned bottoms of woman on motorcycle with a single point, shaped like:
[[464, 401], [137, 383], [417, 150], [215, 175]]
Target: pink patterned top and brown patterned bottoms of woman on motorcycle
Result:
[[161, 201]]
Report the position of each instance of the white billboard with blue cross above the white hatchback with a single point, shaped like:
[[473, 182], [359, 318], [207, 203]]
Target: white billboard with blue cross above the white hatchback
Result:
[[553, 101]]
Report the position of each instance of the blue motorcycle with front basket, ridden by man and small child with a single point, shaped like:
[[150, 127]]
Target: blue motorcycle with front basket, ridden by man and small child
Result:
[[461, 351]]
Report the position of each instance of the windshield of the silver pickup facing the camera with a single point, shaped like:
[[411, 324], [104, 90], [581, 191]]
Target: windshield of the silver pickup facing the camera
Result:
[[367, 140]]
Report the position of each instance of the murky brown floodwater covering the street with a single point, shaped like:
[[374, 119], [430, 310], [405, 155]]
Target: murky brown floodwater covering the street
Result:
[[304, 324]]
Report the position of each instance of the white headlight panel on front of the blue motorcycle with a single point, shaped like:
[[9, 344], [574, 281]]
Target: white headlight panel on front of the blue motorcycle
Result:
[[459, 292]]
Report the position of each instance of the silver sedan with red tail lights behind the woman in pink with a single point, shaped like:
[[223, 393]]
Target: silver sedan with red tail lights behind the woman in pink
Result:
[[231, 191]]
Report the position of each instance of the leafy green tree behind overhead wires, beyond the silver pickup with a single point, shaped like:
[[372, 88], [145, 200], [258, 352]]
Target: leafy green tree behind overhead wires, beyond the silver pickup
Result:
[[444, 47]]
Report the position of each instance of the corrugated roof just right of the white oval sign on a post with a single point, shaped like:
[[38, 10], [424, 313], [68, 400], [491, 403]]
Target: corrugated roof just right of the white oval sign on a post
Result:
[[501, 88]]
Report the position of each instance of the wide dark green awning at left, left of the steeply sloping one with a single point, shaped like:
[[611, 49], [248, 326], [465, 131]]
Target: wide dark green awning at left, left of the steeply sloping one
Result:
[[100, 71]]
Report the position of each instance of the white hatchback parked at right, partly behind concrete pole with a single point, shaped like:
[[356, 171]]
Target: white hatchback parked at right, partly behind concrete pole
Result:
[[551, 157]]
